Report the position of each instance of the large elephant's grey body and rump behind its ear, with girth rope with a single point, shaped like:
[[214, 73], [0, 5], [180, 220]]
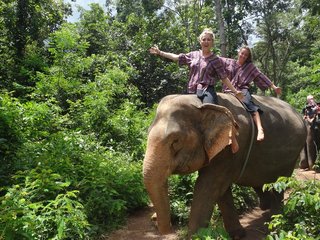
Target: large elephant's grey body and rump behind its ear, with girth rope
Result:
[[285, 135]]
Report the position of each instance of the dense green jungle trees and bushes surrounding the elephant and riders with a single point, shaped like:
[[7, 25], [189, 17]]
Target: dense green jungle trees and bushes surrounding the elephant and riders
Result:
[[76, 100]]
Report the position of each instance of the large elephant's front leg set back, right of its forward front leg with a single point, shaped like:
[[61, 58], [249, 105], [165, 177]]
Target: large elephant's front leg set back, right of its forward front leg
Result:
[[230, 216]]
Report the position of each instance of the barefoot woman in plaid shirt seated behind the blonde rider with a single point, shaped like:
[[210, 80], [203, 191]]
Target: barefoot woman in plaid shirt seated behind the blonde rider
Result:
[[242, 73]]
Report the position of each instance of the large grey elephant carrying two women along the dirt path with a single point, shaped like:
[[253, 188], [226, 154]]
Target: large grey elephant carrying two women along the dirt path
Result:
[[187, 136]]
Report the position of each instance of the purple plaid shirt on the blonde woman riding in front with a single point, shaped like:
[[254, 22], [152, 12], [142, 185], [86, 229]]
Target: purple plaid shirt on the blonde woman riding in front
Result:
[[211, 67]]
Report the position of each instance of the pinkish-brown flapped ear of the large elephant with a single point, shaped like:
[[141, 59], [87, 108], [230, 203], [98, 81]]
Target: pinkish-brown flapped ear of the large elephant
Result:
[[218, 125]]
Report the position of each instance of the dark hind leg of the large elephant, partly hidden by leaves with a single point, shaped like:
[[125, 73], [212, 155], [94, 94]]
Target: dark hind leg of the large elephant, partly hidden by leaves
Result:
[[269, 200]]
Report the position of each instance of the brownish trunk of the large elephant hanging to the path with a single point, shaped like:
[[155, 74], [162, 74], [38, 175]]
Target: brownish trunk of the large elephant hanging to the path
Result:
[[155, 177]]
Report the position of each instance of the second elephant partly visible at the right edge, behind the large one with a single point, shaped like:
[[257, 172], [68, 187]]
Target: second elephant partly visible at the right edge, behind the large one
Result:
[[309, 153]]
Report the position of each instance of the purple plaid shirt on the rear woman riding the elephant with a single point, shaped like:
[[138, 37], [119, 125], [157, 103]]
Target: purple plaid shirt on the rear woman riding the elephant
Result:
[[242, 76]]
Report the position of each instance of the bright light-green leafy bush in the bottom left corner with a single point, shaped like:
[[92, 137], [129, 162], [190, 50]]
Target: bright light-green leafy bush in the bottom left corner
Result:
[[40, 206]]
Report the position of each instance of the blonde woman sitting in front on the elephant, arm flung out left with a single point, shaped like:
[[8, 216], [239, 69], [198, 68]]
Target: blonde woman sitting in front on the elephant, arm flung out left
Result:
[[205, 69]]
